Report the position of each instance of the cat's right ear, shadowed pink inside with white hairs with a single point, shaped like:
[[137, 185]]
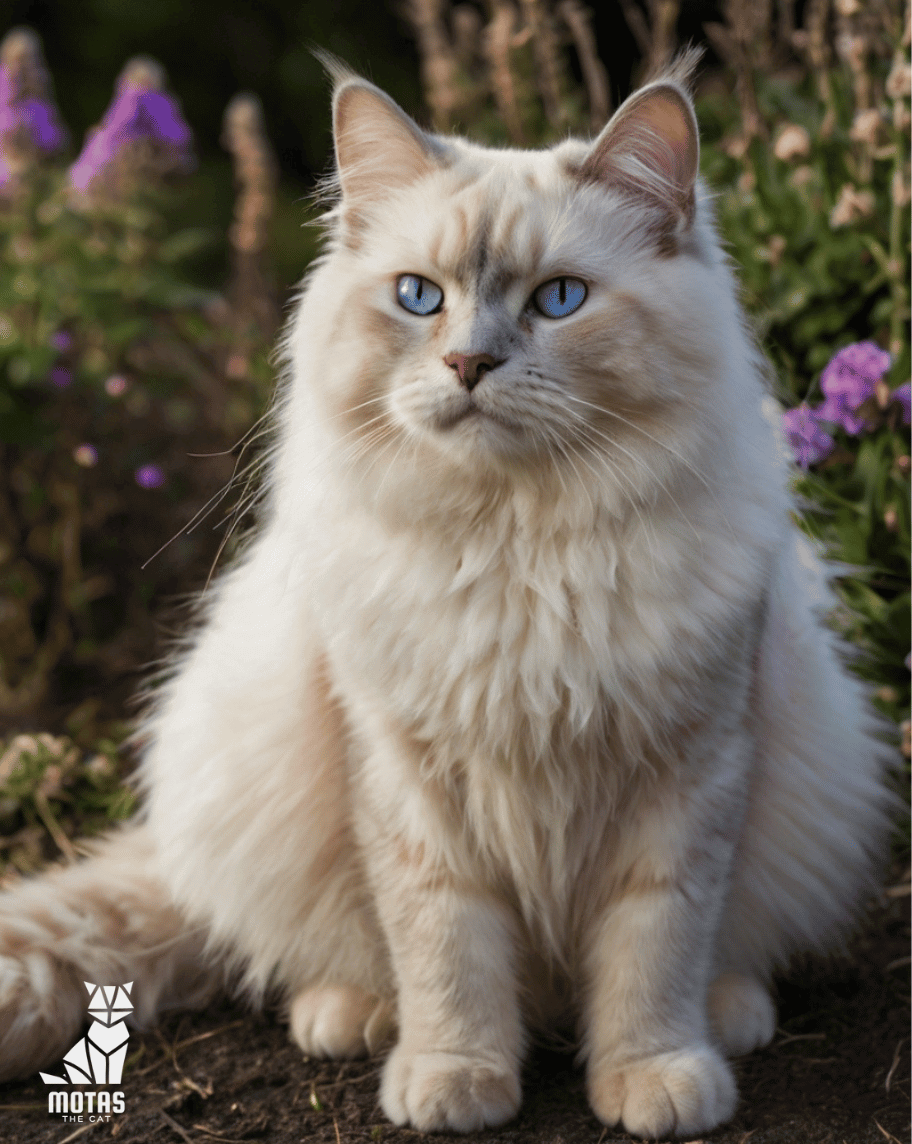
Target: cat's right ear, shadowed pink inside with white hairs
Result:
[[651, 148]]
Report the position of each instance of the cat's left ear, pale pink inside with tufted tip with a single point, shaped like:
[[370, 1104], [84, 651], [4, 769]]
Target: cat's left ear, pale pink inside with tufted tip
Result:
[[378, 148]]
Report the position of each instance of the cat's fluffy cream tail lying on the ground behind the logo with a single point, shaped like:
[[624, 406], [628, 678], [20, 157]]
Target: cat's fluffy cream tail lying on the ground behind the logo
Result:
[[106, 920]]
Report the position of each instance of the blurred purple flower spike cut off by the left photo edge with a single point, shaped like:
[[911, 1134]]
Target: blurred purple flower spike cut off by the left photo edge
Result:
[[29, 122]]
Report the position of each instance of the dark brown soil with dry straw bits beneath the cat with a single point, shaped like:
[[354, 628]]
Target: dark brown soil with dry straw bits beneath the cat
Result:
[[837, 1074]]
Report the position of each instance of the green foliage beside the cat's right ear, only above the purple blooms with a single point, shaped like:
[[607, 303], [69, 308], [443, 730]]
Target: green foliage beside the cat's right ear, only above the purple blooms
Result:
[[812, 285]]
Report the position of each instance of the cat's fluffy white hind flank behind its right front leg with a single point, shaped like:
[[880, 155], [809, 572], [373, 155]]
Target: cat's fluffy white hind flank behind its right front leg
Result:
[[820, 809]]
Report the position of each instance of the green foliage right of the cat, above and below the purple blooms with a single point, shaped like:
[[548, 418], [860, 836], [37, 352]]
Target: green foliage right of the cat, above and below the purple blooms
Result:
[[814, 284]]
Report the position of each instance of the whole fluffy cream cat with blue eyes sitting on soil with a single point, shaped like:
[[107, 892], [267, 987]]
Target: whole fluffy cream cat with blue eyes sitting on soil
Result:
[[519, 709]]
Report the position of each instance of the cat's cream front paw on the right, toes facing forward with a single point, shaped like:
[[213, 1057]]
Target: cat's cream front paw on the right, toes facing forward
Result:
[[672, 1094]]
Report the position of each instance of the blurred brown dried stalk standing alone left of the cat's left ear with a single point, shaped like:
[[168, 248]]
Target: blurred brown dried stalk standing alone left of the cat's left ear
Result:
[[256, 173]]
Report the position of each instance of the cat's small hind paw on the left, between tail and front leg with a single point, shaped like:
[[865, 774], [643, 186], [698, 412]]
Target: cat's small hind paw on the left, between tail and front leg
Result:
[[340, 1022]]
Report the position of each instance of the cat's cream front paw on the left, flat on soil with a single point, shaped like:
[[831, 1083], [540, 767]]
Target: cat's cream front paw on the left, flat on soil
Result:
[[454, 1092]]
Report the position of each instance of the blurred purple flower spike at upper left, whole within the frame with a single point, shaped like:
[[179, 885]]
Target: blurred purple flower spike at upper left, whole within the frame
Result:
[[142, 131]]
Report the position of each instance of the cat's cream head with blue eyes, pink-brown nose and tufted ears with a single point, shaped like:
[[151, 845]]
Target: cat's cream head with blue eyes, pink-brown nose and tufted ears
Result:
[[556, 312]]
